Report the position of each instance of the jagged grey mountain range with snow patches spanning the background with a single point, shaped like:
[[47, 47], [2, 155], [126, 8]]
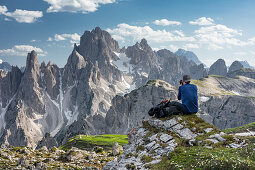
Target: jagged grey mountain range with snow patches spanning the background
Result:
[[46, 101]]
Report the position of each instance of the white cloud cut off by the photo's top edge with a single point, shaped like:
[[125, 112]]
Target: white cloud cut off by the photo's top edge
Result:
[[84, 6]]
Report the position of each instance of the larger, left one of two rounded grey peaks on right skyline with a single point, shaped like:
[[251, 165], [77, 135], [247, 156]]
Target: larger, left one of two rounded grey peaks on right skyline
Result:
[[218, 68]]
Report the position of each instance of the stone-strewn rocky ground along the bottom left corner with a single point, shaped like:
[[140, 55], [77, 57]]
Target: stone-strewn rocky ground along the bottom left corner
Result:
[[27, 158]]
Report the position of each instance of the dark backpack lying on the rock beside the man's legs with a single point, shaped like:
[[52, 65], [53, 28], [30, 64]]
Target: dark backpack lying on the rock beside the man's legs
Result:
[[158, 110]]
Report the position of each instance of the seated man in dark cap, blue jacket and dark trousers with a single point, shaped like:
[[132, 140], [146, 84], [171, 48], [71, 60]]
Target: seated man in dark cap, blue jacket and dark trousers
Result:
[[188, 94]]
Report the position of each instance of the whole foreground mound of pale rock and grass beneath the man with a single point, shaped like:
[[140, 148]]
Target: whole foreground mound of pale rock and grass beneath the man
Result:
[[166, 143]]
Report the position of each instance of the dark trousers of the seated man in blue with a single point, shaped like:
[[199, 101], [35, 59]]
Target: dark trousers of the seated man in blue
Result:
[[175, 108]]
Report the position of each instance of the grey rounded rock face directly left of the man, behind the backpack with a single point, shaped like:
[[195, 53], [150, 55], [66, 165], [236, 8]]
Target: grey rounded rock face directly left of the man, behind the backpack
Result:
[[130, 110]]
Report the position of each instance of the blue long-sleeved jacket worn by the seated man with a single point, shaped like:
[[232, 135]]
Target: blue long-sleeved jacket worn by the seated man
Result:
[[188, 94]]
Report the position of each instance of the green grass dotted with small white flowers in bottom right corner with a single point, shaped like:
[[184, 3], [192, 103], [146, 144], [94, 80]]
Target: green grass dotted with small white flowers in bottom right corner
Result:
[[204, 158]]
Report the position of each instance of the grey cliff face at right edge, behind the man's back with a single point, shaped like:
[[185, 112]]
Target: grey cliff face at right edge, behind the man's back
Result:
[[232, 111]]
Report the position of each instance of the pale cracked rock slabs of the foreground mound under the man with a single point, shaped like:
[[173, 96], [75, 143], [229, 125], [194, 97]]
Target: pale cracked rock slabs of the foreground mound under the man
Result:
[[154, 138]]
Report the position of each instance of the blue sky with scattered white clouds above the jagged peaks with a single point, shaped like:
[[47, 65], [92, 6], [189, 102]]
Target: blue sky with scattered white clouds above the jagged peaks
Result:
[[211, 28]]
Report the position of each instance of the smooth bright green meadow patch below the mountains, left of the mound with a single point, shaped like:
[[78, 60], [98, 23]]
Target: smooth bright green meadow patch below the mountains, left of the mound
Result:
[[88, 142]]
